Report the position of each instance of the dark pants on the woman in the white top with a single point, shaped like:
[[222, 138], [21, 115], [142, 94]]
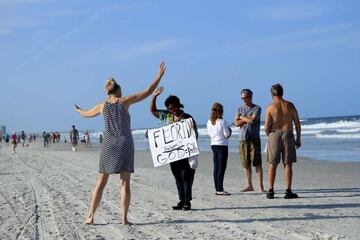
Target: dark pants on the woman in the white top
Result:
[[220, 155]]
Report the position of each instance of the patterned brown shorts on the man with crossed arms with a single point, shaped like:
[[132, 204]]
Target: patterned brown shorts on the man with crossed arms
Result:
[[250, 152]]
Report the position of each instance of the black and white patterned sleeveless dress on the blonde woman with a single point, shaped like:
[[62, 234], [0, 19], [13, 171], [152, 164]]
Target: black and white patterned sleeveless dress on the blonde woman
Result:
[[117, 150]]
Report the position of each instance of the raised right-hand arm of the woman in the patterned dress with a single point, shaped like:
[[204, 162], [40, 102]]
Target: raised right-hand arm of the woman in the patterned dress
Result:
[[137, 97]]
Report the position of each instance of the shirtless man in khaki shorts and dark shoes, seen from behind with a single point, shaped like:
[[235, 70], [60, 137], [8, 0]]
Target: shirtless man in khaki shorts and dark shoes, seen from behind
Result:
[[279, 120]]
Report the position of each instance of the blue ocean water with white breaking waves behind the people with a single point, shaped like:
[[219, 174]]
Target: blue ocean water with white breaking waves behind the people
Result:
[[330, 138]]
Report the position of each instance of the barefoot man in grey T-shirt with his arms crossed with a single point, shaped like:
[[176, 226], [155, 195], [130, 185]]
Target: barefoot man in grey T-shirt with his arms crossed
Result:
[[247, 117]]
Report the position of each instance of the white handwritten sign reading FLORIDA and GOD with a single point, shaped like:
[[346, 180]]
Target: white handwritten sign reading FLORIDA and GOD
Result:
[[173, 142]]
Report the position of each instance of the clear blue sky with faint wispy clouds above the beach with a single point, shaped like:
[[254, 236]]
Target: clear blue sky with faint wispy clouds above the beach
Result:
[[55, 53]]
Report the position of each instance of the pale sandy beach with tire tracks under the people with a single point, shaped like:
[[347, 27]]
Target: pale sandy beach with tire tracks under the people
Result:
[[45, 193]]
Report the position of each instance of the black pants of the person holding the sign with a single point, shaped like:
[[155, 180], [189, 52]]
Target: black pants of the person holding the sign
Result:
[[184, 176]]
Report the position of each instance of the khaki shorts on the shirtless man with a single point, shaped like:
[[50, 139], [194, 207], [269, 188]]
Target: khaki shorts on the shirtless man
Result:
[[281, 145]]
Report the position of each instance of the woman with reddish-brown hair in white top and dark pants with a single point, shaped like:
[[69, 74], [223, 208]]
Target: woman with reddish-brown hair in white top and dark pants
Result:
[[219, 133]]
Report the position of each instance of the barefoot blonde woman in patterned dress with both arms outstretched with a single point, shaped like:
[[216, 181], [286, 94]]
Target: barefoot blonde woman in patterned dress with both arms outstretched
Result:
[[117, 150]]
